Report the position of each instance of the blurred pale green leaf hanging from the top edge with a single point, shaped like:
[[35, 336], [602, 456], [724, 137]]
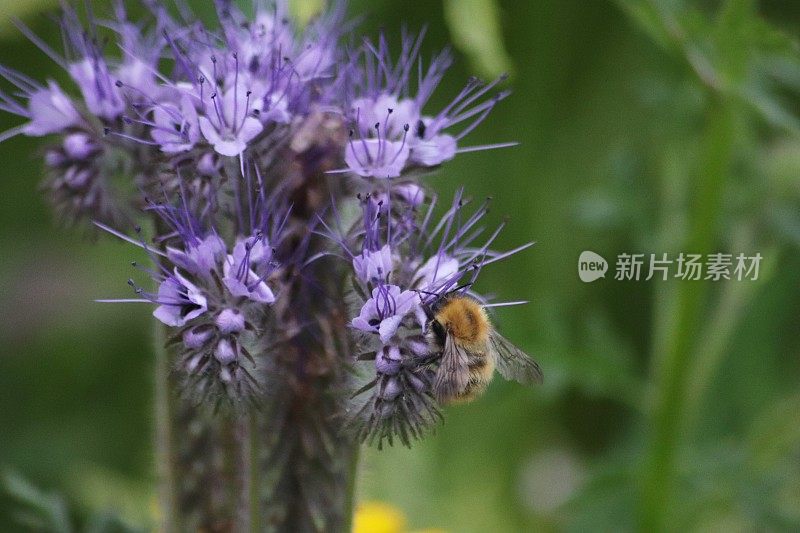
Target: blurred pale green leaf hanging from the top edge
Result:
[[476, 31]]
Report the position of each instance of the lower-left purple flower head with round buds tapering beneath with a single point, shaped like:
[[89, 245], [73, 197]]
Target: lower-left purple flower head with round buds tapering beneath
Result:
[[215, 290]]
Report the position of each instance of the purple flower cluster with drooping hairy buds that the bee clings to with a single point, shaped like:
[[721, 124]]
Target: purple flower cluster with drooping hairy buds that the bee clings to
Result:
[[404, 259]]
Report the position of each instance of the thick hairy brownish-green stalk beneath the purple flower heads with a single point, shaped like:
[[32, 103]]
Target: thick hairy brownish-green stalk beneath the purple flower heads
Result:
[[285, 467]]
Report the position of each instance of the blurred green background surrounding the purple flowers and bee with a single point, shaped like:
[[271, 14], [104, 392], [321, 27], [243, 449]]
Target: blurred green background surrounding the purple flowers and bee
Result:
[[645, 127]]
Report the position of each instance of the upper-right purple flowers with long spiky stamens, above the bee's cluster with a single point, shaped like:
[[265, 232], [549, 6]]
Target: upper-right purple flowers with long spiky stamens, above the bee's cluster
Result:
[[383, 108]]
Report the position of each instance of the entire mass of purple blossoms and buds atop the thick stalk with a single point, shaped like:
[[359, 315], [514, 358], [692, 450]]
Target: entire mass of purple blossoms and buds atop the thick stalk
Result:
[[257, 133]]
